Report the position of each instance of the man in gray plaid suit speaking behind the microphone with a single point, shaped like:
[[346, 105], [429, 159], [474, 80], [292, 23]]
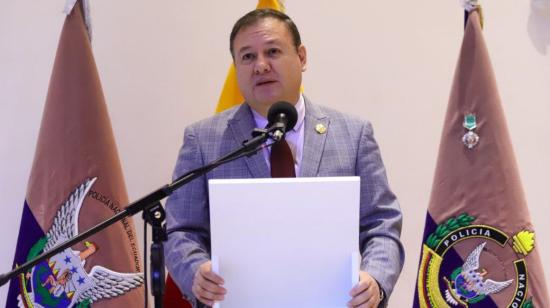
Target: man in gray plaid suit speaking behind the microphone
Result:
[[269, 59]]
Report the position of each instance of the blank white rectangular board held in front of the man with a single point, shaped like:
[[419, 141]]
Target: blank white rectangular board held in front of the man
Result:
[[286, 242]]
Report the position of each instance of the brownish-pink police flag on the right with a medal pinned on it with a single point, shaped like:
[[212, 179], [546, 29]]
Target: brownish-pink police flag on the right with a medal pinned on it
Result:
[[480, 248]]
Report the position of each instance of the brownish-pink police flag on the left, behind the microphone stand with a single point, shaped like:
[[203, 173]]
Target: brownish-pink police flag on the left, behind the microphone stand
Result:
[[76, 182]]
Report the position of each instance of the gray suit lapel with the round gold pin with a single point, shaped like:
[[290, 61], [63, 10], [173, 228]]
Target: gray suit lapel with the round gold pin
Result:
[[314, 142]]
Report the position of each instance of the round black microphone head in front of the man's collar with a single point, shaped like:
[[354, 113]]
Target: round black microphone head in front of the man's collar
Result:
[[281, 117]]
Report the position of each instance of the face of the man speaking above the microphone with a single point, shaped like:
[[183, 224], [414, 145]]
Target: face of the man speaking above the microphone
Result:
[[269, 68]]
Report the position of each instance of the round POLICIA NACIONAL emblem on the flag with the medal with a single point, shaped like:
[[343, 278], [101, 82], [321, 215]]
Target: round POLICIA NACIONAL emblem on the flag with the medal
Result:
[[445, 281]]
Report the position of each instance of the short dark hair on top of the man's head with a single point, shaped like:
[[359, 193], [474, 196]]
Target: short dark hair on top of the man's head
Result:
[[253, 17]]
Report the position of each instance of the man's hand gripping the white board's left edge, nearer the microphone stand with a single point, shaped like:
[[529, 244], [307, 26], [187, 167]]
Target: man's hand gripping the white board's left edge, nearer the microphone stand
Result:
[[207, 285]]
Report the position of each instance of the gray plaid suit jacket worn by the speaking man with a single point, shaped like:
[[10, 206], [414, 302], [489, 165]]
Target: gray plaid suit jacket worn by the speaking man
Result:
[[347, 148]]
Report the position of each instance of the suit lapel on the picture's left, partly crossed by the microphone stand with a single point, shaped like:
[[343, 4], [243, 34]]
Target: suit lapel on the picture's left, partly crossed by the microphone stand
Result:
[[241, 126]]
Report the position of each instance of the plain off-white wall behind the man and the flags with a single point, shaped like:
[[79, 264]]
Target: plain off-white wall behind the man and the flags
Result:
[[162, 65]]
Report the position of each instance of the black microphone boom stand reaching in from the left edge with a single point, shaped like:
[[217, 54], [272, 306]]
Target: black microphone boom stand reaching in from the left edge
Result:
[[153, 214]]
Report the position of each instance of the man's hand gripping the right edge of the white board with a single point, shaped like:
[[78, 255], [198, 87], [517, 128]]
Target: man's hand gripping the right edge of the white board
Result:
[[366, 293]]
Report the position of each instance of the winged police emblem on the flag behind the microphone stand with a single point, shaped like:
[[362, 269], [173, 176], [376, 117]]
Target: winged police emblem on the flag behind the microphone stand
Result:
[[62, 281]]
